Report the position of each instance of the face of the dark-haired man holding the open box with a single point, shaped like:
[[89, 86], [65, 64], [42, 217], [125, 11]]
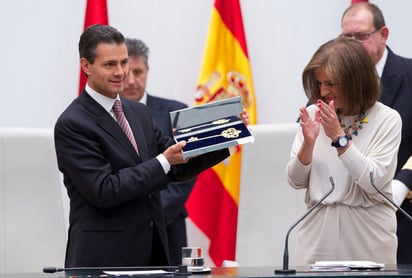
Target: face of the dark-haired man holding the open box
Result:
[[108, 72]]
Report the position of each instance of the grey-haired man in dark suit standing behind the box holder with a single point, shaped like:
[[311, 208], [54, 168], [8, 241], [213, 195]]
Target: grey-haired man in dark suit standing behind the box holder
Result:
[[175, 195]]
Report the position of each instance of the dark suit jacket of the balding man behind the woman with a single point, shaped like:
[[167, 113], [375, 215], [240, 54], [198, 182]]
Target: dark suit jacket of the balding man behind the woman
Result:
[[396, 83]]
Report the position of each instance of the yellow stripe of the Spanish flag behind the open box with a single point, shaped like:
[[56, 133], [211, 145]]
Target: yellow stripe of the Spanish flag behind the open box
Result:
[[224, 56]]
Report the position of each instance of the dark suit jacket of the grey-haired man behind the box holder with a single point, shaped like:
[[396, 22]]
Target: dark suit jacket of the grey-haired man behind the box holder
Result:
[[176, 194]]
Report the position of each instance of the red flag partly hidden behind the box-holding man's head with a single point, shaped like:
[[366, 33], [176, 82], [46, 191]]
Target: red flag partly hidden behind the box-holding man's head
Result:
[[96, 13]]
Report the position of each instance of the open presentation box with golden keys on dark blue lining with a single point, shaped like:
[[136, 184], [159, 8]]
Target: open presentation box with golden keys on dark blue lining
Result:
[[211, 126]]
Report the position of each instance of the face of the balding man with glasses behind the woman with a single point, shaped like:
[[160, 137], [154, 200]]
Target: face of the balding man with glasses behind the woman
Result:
[[361, 21]]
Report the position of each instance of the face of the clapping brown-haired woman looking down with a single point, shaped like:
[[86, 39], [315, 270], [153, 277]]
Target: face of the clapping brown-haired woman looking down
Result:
[[328, 89]]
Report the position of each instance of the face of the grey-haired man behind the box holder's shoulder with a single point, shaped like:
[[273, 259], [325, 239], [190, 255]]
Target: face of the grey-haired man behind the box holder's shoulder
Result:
[[135, 83]]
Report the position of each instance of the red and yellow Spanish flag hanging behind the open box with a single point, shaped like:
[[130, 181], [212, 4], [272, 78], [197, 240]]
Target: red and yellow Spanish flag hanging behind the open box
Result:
[[213, 203]]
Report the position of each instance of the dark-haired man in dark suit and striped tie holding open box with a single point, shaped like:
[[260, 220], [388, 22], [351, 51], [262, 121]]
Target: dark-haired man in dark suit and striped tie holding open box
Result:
[[116, 218]]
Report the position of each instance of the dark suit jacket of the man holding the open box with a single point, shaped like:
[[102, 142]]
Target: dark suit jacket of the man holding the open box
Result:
[[115, 207]]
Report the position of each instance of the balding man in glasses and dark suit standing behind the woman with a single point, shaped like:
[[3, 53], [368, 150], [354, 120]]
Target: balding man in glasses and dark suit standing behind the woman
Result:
[[365, 22]]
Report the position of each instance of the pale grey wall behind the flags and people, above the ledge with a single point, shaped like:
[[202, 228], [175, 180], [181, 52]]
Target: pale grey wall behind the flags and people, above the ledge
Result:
[[39, 54]]
